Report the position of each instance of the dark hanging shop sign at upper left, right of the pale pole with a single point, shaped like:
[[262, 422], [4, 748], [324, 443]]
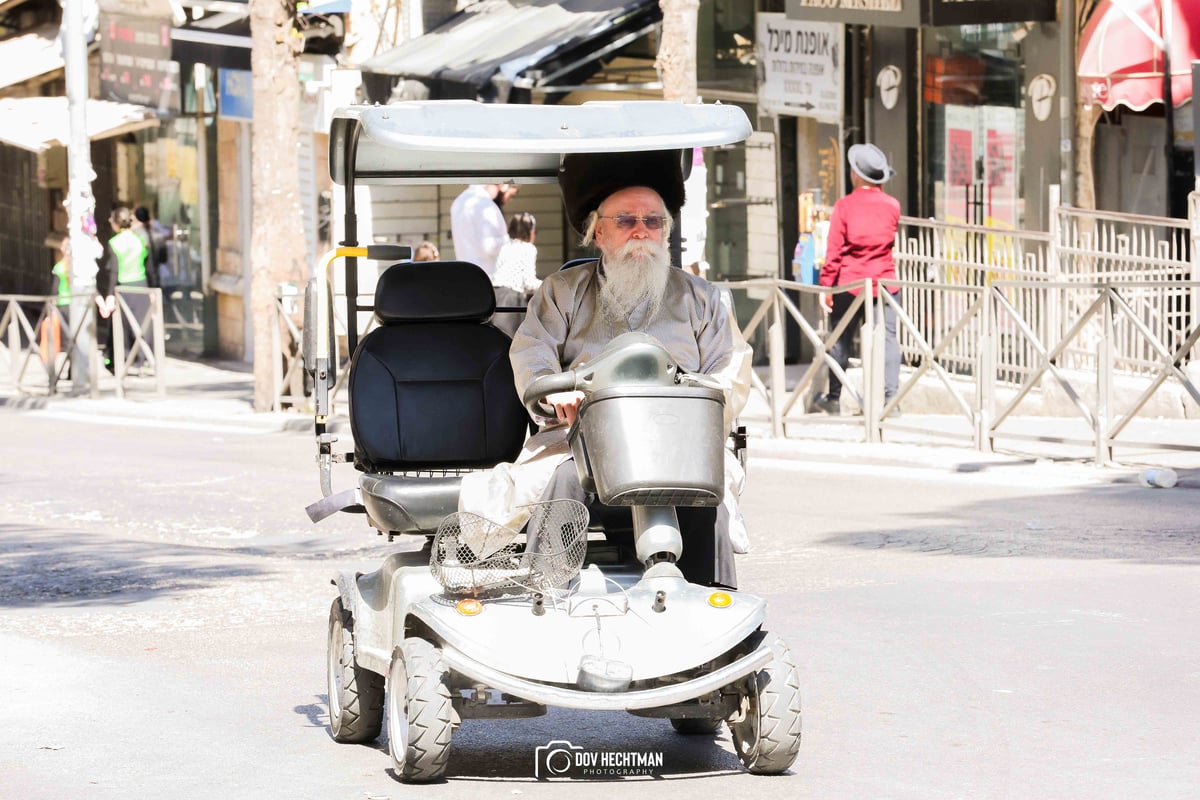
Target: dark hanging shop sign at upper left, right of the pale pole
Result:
[[135, 63]]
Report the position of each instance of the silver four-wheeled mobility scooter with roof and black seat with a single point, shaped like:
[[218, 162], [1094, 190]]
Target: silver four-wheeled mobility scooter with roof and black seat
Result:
[[485, 621]]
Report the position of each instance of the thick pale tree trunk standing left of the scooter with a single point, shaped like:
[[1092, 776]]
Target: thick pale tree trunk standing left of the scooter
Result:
[[278, 244]]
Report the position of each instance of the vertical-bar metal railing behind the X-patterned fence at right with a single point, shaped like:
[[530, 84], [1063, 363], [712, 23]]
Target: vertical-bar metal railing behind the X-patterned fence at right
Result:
[[1156, 254]]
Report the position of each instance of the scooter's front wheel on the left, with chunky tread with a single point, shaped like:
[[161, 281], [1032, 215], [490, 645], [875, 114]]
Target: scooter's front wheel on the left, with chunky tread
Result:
[[421, 715]]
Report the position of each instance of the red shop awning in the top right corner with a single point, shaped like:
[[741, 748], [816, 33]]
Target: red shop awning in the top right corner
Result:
[[1121, 52]]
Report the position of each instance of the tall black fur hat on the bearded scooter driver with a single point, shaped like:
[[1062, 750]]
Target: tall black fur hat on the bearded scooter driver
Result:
[[589, 179]]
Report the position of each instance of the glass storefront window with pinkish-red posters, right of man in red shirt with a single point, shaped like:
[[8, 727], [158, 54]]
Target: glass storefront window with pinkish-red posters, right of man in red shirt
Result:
[[976, 124]]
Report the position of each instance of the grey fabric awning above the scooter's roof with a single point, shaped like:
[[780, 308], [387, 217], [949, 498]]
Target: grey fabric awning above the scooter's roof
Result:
[[490, 47]]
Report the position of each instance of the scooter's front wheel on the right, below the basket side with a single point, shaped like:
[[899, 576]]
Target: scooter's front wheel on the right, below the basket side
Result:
[[769, 738]]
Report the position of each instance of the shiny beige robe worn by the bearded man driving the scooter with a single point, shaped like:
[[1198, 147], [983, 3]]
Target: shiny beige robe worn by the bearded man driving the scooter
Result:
[[565, 328]]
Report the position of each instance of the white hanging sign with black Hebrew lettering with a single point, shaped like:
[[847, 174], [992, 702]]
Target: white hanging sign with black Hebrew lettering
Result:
[[802, 67]]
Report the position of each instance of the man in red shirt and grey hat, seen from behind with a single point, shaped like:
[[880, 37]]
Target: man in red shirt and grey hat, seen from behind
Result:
[[862, 234]]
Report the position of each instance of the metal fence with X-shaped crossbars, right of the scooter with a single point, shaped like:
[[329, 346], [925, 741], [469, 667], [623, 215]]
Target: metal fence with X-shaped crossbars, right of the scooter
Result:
[[995, 322]]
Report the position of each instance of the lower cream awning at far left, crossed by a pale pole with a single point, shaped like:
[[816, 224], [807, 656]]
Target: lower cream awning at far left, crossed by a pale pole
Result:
[[38, 124]]
